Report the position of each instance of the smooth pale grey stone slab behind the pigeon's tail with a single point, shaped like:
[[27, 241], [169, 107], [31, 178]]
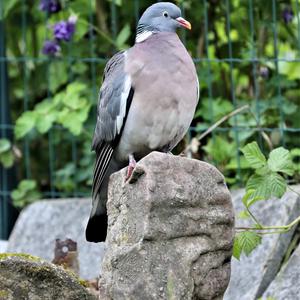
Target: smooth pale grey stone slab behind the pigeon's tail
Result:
[[41, 223]]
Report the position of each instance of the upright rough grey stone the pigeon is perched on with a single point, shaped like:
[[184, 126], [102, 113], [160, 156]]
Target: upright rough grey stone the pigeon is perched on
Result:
[[170, 232]]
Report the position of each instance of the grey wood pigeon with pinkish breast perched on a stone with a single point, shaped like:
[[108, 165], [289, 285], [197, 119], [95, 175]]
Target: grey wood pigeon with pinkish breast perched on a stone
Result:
[[146, 103]]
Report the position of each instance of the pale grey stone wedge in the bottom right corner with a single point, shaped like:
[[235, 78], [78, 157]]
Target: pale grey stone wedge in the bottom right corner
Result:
[[286, 284]]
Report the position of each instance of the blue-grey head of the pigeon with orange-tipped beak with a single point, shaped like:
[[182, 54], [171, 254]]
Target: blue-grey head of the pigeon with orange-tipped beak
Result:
[[162, 17]]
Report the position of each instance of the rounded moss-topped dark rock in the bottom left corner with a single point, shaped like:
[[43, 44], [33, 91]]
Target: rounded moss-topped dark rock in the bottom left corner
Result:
[[23, 277]]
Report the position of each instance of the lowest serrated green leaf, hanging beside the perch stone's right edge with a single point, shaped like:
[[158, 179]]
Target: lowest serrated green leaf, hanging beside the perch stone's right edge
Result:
[[245, 242]]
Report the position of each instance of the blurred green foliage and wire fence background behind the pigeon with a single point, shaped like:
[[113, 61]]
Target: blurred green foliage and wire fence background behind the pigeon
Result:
[[52, 56]]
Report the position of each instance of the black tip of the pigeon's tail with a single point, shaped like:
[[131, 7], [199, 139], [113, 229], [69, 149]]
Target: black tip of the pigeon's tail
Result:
[[96, 229]]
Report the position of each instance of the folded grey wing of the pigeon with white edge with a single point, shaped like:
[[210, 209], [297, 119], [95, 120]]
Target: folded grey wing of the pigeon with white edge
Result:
[[114, 101]]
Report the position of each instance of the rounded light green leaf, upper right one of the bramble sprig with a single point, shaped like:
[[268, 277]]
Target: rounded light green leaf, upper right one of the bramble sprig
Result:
[[280, 161]]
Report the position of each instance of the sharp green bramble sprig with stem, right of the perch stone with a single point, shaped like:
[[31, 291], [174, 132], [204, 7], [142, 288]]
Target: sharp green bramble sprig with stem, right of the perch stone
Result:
[[267, 181]]
